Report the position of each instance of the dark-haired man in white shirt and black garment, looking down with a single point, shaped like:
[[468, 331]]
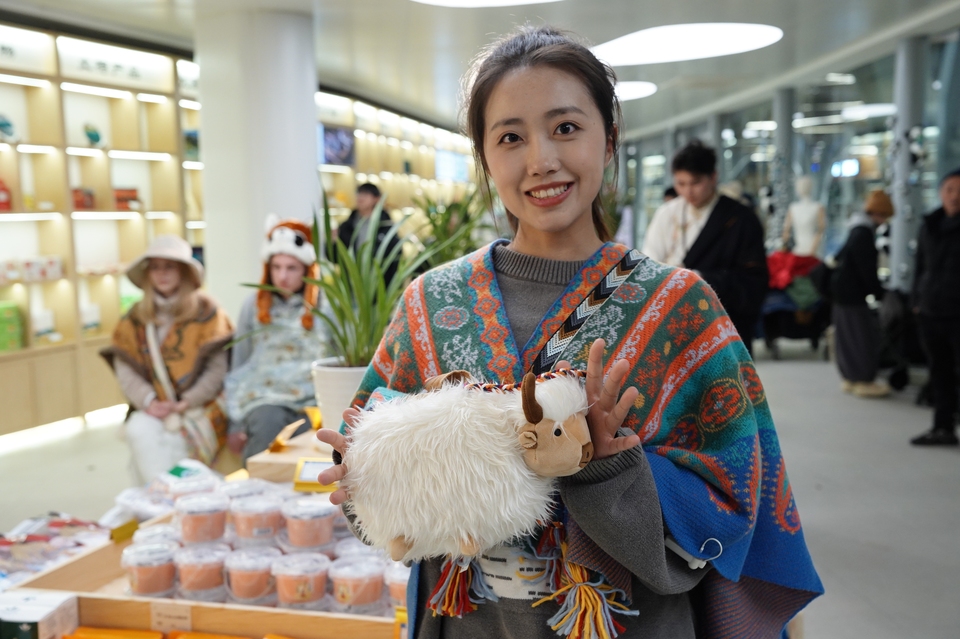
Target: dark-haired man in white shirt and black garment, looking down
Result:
[[714, 235]]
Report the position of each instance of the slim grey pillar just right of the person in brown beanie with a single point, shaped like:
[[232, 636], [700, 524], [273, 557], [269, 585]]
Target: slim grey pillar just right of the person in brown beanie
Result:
[[908, 89]]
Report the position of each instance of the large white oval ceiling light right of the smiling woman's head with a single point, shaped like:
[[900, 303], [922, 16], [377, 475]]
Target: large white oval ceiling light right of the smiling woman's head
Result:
[[681, 42]]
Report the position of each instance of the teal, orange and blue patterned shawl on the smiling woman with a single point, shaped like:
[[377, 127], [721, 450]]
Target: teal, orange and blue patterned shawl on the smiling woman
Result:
[[702, 416]]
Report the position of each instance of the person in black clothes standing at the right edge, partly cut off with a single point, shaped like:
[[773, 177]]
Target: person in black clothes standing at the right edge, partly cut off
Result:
[[936, 299]]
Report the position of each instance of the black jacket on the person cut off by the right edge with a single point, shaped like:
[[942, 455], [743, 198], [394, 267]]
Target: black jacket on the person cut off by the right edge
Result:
[[936, 285]]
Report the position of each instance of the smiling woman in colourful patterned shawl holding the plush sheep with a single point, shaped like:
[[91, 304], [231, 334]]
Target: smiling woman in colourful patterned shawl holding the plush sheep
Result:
[[678, 417]]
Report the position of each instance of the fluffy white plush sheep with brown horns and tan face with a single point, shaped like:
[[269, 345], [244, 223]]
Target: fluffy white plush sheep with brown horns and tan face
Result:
[[464, 466]]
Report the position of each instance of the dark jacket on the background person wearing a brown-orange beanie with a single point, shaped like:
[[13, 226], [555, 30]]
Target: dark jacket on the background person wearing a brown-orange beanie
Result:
[[855, 276]]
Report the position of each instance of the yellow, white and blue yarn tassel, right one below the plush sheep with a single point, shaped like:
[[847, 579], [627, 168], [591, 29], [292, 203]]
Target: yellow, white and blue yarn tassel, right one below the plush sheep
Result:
[[586, 607]]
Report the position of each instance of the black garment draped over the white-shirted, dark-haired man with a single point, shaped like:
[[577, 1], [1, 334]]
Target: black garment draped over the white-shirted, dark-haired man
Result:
[[730, 256]]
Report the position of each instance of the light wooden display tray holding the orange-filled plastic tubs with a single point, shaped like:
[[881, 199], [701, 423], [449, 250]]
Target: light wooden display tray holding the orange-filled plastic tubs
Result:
[[100, 584]]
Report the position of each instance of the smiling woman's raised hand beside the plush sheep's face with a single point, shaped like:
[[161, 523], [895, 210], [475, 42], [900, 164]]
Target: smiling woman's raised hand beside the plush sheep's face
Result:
[[605, 415]]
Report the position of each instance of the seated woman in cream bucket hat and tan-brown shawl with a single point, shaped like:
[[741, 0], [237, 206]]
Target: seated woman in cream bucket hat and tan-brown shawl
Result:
[[169, 358]]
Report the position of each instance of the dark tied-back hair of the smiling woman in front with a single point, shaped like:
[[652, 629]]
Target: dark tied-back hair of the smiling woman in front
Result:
[[530, 47]]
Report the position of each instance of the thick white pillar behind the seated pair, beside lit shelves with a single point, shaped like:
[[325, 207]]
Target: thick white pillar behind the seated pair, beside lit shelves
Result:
[[257, 81]]
